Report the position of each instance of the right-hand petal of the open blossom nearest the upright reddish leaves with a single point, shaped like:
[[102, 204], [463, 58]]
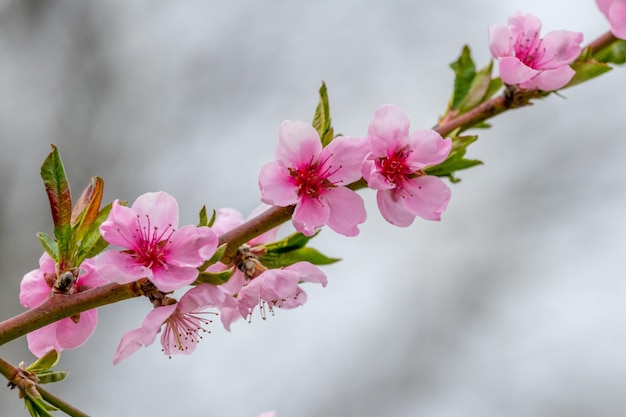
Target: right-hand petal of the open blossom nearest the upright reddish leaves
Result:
[[191, 246]]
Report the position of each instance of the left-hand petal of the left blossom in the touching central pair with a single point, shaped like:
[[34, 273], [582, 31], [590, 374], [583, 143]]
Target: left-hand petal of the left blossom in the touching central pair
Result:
[[277, 187]]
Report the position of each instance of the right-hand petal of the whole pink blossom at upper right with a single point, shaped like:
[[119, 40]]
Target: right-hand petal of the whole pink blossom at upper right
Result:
[[561, 47]]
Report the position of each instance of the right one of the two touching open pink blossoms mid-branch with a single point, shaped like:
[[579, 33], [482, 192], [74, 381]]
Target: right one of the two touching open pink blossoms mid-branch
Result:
[[395, 167]]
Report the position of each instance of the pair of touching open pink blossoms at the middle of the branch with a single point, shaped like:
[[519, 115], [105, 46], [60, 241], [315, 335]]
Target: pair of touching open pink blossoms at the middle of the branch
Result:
[[390, 159]]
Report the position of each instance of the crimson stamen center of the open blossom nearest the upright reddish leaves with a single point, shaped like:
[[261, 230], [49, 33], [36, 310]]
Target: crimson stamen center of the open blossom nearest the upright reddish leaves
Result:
[[150, 245]]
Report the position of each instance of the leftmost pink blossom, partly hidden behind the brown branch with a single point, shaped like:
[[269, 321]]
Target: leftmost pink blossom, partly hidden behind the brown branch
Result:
[[66, 333]]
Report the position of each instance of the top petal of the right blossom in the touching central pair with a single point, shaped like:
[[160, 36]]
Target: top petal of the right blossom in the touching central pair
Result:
[[388, 131]]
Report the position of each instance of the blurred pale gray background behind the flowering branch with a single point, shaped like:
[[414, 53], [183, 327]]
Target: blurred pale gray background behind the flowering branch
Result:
[[513, 305]]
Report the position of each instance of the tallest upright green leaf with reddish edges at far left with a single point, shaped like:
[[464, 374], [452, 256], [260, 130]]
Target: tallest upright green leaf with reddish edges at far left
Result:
[[59, 196]]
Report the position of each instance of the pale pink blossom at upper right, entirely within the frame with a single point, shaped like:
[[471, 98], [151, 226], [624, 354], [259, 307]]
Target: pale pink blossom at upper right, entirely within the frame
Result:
[[530, 61]]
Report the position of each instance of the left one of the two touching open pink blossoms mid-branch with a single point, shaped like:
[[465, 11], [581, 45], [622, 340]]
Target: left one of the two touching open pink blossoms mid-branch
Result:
[[314, 179]]
